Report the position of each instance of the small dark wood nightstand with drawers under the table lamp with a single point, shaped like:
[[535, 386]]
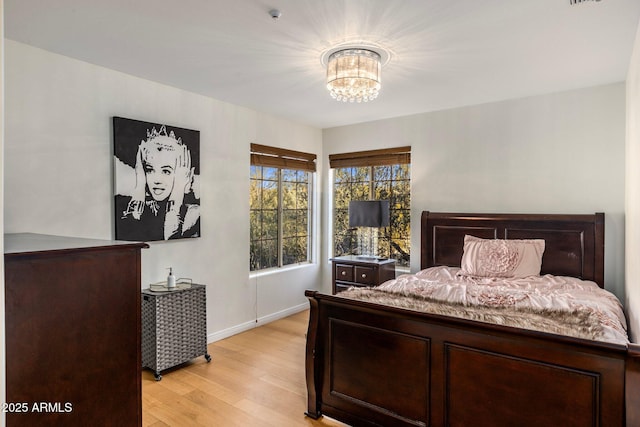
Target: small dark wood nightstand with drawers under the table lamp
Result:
[[353, 270]]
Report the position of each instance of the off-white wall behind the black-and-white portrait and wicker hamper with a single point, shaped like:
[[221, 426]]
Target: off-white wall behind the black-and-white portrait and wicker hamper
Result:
[[58, 175]]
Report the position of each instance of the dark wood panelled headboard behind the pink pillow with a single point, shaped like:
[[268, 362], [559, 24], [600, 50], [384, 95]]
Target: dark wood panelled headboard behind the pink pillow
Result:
[[574, 244]]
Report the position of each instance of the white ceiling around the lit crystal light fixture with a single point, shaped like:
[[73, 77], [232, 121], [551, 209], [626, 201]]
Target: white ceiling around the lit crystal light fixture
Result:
[[444, 53]]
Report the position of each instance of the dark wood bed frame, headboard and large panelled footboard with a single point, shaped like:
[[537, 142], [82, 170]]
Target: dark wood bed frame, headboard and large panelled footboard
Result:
[[374, 365]]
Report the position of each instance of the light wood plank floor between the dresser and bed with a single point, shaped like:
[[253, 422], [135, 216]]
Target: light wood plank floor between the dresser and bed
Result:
[[255, 378]]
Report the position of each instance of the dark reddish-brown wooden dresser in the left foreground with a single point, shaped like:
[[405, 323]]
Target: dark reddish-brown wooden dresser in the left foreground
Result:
[[72, 321]]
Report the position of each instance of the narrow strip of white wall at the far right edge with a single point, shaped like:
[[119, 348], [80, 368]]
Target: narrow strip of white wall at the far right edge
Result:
[[632, 287]]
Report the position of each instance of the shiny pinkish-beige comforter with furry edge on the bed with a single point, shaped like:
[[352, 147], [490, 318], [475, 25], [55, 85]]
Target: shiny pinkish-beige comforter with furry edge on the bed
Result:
[[556, 304]]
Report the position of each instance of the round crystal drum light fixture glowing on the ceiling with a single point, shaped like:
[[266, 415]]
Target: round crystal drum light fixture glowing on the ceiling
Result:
[[353, 75]]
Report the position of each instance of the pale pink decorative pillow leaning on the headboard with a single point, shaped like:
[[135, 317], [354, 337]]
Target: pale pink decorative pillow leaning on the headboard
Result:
[[501, 258]]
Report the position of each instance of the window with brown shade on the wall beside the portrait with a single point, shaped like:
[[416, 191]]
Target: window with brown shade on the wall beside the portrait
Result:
[[280, 210]]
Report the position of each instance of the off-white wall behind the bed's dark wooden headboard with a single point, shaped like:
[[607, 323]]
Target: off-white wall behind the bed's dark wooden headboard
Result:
[[558, 153]]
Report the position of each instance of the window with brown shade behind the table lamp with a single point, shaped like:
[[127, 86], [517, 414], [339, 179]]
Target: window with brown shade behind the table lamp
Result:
[[373, 175]]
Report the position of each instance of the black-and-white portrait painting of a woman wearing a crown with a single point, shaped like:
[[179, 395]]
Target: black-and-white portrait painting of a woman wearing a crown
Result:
[[157, 191]]
